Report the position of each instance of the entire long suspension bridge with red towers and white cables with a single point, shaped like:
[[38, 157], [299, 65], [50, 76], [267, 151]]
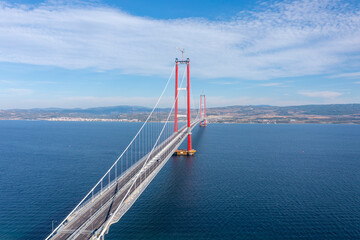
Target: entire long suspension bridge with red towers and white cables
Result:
[[157, 140]]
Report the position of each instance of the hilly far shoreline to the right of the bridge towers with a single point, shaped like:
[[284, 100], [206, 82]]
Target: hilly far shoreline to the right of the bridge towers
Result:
[[330, 113]]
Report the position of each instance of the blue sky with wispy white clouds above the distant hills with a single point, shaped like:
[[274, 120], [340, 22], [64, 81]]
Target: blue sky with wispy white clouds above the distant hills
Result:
[[83, 54]]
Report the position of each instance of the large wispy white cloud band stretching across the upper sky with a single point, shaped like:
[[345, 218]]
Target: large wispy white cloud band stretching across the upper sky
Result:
[[288, 39]]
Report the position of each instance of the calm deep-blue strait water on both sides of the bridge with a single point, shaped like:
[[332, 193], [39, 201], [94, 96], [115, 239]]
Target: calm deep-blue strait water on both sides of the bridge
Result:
[[245, 182]]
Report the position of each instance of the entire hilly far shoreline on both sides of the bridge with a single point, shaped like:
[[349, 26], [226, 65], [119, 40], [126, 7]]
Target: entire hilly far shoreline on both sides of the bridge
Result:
[[330, 113]]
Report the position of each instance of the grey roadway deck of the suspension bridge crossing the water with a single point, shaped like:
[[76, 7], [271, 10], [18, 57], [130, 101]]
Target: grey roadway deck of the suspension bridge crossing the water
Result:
[[90, 219]]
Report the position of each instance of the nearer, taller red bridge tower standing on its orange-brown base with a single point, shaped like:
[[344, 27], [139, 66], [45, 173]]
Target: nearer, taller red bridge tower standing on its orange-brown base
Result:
[[189, 151]]
